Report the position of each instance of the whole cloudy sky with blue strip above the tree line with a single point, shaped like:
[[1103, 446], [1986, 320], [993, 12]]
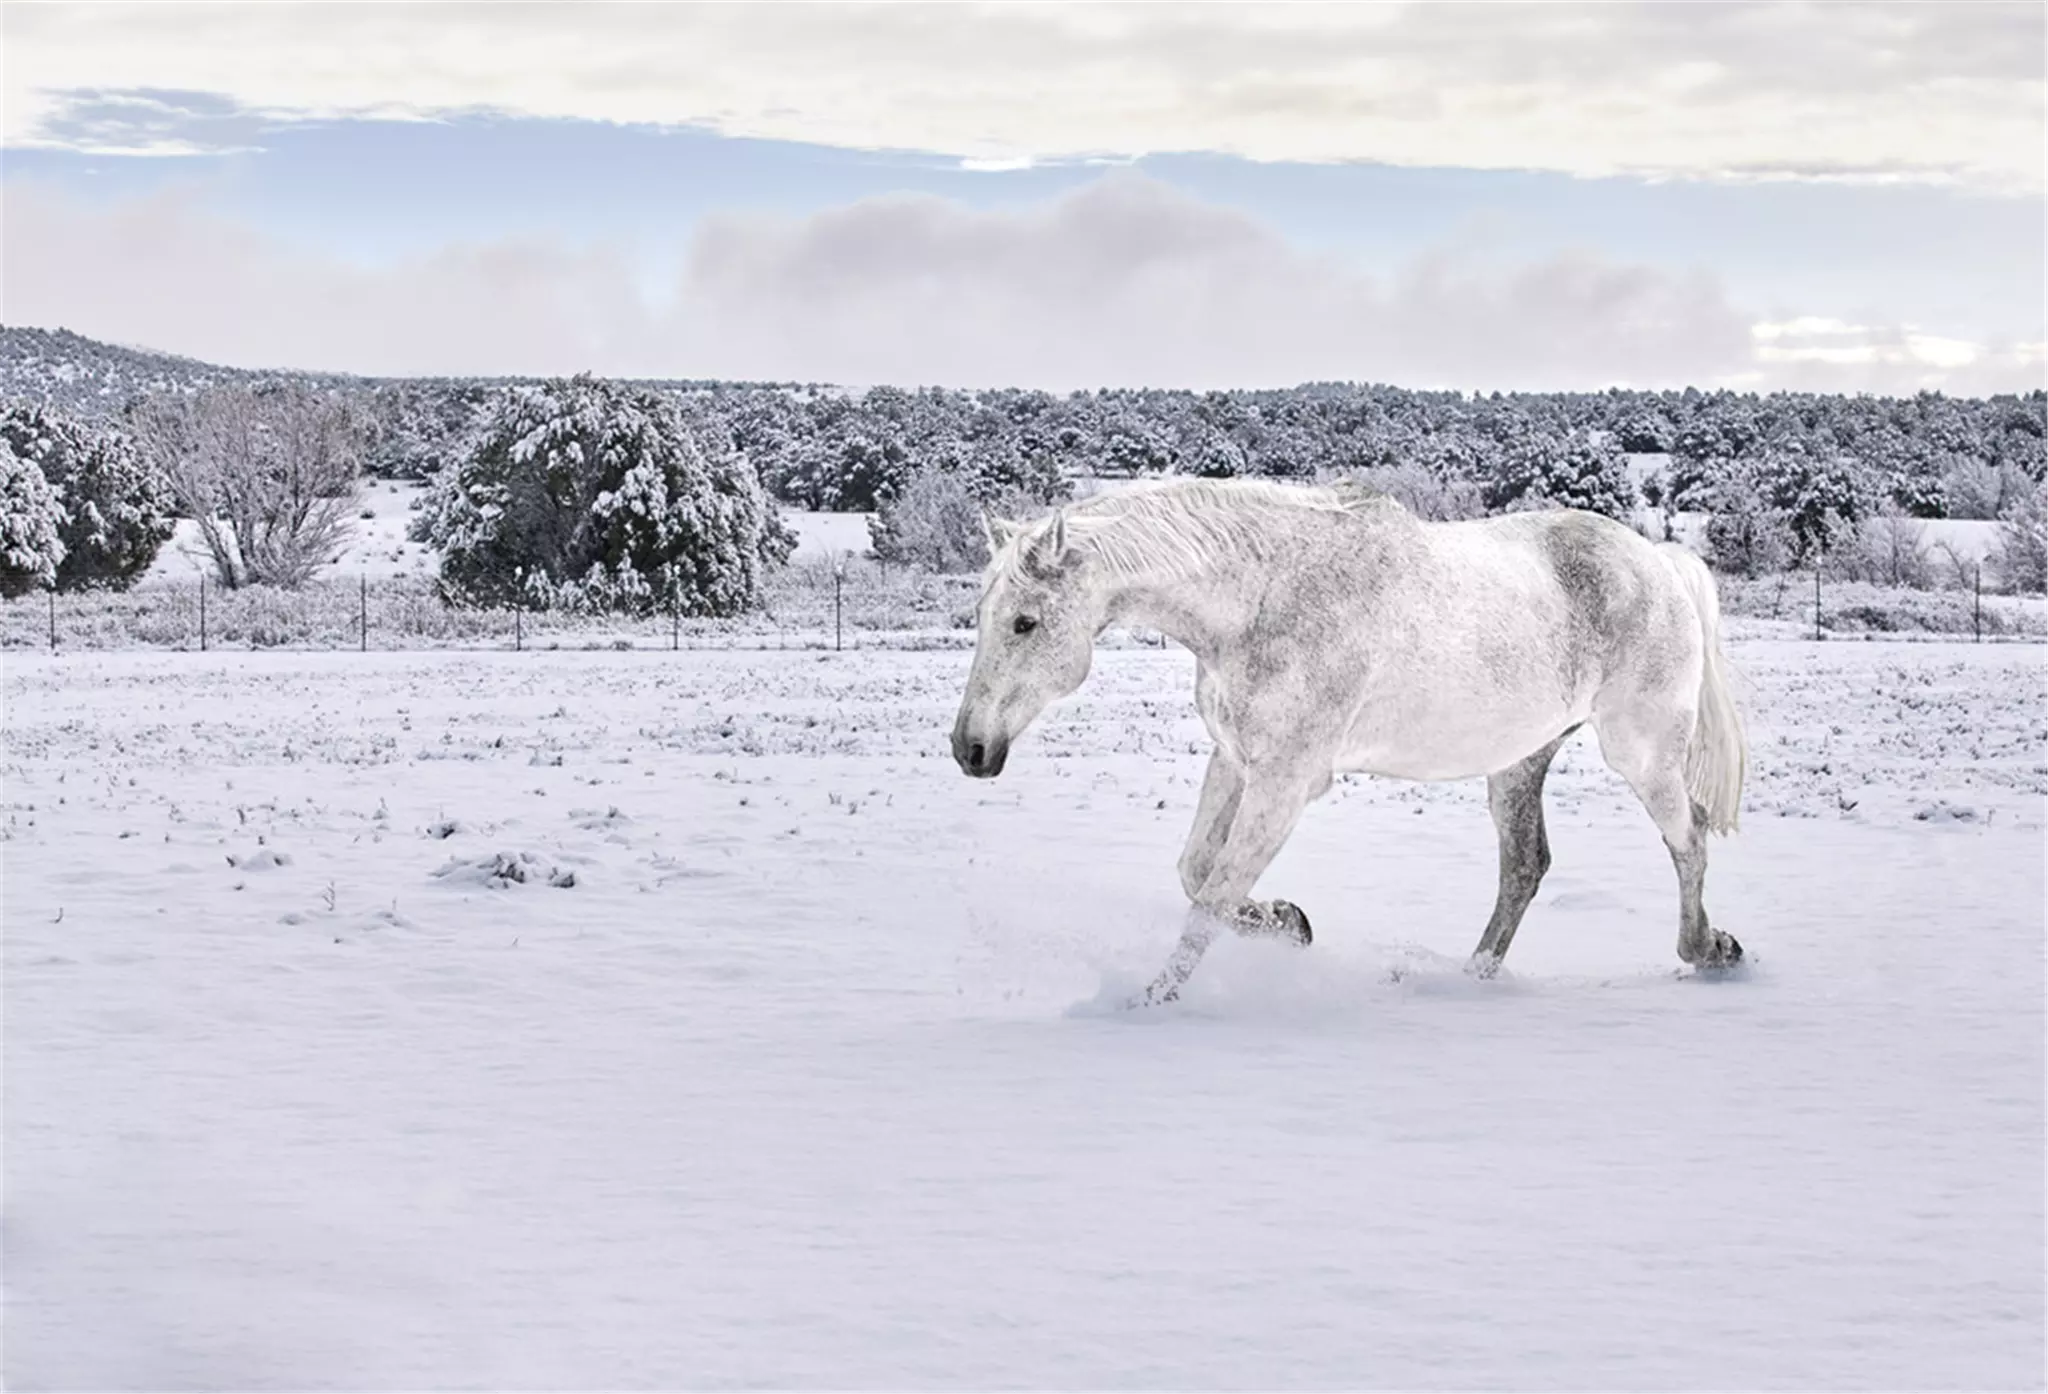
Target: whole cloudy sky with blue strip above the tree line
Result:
[[1830, 198]]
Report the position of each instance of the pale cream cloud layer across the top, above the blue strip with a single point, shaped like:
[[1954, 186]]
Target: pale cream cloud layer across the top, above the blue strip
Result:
[[1922, 93]]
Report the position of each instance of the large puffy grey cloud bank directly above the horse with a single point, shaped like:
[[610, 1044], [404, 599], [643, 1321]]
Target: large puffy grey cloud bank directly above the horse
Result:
[[1132, 284]]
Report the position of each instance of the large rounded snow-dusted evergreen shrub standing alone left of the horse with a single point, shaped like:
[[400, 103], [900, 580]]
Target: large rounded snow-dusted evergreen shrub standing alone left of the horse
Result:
[[593, 496]]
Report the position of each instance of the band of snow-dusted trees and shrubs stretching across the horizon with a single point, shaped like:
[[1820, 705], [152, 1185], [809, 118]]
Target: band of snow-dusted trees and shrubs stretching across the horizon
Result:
[[665, 498]]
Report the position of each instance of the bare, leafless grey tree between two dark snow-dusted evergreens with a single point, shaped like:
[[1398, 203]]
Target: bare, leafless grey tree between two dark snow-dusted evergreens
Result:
[[269, 474]]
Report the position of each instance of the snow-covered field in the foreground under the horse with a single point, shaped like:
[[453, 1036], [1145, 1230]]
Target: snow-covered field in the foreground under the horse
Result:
[[812, 1076]]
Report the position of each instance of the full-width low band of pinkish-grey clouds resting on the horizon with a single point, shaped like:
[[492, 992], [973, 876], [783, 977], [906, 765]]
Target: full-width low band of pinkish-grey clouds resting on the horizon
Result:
[[1123, 281]]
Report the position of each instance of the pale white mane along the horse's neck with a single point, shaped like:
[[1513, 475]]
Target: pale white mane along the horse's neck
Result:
[[1179, 527]]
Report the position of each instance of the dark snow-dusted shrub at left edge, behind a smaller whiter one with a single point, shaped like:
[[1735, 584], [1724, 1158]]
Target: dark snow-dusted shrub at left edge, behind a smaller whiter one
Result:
[[118, 509]]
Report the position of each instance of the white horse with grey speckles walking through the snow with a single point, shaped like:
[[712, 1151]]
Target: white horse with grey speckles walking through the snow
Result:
[[1336, 631]]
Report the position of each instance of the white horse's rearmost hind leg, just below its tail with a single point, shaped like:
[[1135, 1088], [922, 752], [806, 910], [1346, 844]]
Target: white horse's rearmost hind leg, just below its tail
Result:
[[1648, 748]]
